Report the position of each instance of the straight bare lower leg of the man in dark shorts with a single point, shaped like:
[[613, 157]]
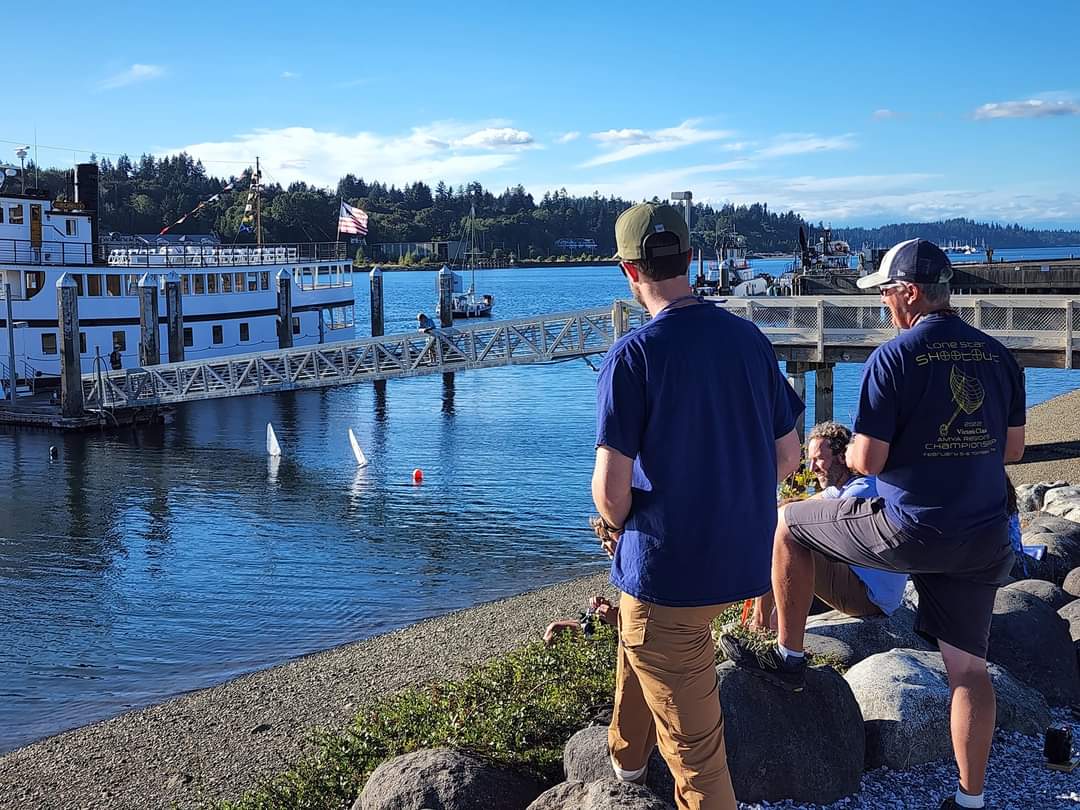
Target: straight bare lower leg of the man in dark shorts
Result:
[[974, 715]]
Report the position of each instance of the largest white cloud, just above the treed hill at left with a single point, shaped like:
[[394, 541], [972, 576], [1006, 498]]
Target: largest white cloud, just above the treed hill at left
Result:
[[448, 151]]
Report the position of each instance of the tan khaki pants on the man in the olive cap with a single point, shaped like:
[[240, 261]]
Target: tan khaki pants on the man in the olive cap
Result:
[[667, 694]]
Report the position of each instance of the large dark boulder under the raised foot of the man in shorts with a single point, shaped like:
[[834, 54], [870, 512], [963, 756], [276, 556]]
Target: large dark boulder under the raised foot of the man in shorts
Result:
[[806, 747]]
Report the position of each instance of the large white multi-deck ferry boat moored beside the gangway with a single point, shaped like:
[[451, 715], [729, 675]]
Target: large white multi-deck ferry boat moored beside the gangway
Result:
[[229, 292]]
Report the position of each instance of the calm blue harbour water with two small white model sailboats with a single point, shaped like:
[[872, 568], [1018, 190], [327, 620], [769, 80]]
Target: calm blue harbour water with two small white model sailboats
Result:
[[148, 563]]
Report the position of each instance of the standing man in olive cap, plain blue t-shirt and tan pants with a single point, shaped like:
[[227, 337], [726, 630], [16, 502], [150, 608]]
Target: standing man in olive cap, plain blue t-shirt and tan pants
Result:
[[678, 422]]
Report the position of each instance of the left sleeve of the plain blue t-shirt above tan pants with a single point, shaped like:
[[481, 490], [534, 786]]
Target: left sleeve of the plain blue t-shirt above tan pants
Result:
[[620, 404]]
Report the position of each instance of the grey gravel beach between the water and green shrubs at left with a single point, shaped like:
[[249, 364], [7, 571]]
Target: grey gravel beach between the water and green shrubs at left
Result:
[[219, 742]]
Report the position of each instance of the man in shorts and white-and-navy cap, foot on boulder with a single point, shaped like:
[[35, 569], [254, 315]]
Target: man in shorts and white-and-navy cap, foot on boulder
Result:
[[941, 412]]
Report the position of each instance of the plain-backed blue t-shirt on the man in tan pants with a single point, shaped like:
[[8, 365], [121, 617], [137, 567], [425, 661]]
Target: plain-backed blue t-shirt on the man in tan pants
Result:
[[696, 398]]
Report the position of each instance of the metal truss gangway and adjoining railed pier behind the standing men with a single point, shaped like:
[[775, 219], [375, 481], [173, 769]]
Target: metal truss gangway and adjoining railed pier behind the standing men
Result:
[[1039, 330]]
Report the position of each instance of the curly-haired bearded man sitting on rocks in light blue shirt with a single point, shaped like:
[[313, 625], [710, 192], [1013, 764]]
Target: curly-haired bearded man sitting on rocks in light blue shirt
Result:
[[850, 589]]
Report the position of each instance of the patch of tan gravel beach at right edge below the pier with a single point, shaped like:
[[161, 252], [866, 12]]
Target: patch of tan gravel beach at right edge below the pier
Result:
[[1054, 442]]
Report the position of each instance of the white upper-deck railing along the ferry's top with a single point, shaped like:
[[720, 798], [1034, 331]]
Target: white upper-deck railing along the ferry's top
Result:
[[156, 256]]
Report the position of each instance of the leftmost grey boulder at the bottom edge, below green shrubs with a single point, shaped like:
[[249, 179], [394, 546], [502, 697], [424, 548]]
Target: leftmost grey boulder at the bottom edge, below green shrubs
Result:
[[442, 779]]
